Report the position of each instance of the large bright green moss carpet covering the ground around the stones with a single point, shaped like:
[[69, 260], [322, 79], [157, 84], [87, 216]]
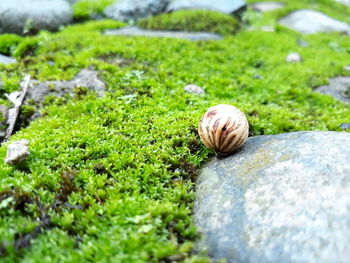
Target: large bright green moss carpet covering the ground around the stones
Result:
[[112, 179]]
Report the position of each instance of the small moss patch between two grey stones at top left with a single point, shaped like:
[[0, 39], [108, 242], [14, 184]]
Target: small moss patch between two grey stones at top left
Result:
[[84, 9]]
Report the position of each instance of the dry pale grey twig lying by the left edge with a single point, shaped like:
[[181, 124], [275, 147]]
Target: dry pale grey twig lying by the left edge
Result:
[[17, 99]]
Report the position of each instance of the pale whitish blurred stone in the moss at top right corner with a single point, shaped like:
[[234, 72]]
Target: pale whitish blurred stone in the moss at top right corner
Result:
[[310, 22]]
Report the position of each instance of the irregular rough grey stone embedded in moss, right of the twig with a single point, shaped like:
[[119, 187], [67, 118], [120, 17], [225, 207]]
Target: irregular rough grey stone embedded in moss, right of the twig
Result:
[[86, 79]]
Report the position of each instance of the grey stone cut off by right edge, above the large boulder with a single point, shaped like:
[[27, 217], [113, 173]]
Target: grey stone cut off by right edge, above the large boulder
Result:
[[338, 88]]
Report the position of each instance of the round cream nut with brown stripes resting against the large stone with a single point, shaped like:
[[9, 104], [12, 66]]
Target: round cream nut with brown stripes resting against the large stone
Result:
[[223, 128]]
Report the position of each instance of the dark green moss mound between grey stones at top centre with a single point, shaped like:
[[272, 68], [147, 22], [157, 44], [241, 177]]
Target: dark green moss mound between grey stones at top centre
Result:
[[192, 20]]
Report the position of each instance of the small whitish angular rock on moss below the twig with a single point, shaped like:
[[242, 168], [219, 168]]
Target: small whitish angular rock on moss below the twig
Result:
[[17, 152]]
